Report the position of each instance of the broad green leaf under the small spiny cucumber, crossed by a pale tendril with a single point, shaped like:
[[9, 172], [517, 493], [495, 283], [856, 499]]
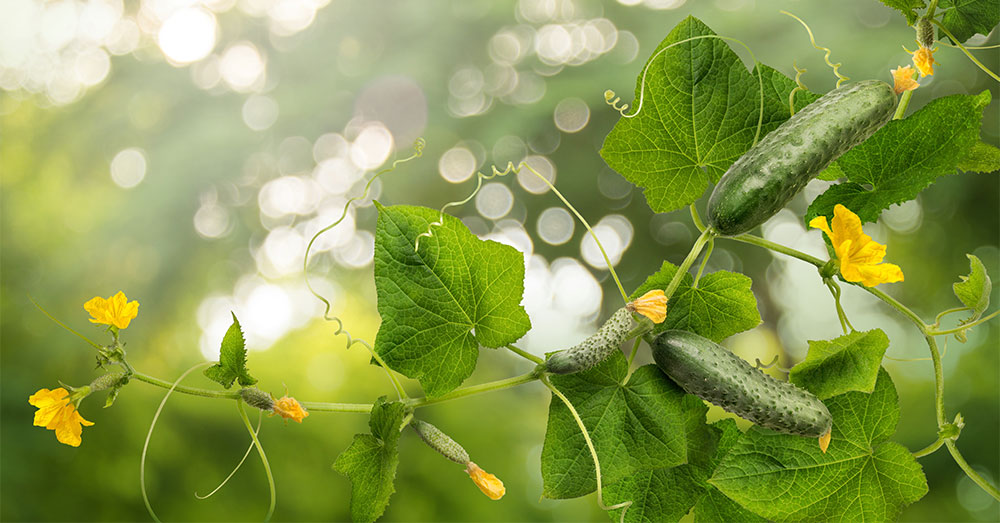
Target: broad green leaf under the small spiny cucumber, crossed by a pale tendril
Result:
[[633, 426]]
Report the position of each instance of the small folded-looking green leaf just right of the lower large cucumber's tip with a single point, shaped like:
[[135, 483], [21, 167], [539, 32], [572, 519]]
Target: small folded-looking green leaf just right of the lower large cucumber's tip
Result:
[[848, 363]]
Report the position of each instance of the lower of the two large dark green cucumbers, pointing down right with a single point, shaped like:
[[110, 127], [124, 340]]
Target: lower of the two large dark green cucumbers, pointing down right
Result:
[[713, 373]]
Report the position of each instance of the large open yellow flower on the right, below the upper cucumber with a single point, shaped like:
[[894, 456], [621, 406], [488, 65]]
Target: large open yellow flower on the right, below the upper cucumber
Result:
[[860, 257]]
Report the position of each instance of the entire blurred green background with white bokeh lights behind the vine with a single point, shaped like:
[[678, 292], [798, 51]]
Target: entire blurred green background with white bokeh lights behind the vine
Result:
[[184, 151]]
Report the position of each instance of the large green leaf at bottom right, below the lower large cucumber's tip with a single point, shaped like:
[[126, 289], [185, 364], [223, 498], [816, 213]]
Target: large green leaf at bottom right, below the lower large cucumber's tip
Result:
[[862, 477]]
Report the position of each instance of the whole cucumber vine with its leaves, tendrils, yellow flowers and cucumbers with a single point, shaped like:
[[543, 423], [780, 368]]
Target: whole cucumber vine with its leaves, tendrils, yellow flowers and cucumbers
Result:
[[628, 432]]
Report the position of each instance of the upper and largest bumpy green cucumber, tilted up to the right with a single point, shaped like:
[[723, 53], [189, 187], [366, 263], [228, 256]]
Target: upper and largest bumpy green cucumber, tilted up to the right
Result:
[[772, 172]]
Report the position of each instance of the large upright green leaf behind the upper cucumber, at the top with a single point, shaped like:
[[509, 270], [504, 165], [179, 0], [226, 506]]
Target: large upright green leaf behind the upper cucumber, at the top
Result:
[[698, 114]]
